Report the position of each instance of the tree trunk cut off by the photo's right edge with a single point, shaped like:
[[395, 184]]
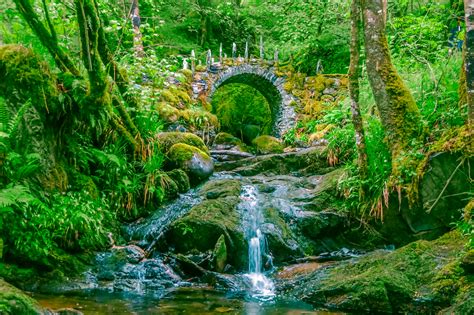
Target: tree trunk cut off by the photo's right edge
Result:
[[469, 58]]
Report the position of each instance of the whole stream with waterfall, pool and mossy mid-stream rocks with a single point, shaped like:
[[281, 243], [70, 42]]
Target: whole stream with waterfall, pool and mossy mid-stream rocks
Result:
[[151, 275]]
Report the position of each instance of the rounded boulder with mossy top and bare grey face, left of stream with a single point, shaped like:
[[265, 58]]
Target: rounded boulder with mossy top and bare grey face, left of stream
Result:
[[195, 162]]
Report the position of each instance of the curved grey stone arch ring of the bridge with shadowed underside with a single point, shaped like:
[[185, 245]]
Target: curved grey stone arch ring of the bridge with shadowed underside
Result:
[[266, 82]]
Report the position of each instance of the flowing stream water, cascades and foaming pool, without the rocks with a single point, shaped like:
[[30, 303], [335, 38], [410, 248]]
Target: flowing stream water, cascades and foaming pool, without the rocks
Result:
[[149, 285]]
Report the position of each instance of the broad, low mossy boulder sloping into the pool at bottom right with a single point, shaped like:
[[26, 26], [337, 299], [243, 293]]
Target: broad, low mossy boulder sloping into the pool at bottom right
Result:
[[420, 277]]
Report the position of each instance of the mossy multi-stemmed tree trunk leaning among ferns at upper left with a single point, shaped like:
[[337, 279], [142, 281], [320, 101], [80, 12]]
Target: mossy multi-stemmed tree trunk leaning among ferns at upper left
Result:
[[96, 58]]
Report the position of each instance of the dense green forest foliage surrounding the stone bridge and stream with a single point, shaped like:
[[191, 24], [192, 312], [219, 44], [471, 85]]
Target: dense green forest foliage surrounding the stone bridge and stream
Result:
[[78, 105]]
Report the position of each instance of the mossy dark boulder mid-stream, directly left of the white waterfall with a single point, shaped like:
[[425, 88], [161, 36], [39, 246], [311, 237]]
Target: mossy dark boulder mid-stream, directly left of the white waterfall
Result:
[[200, 229]]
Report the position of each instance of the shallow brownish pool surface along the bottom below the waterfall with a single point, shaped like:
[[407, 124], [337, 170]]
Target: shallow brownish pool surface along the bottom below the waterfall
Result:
[[179, 301]]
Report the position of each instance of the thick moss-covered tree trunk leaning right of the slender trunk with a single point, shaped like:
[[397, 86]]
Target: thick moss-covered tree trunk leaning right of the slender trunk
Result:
[[398, 111]]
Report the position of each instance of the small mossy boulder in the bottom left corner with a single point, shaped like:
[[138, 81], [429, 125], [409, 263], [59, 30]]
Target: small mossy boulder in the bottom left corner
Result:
[[13, 301]]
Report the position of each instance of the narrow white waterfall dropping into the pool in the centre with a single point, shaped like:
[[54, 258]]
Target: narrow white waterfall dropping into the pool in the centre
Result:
[[261, 286]]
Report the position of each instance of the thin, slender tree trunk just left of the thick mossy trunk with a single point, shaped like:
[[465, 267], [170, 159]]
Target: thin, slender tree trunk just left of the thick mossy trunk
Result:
[[354, 74]]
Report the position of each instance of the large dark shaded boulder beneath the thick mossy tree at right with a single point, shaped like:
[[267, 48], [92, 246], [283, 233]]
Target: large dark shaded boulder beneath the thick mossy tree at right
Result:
[[443, 192]]
